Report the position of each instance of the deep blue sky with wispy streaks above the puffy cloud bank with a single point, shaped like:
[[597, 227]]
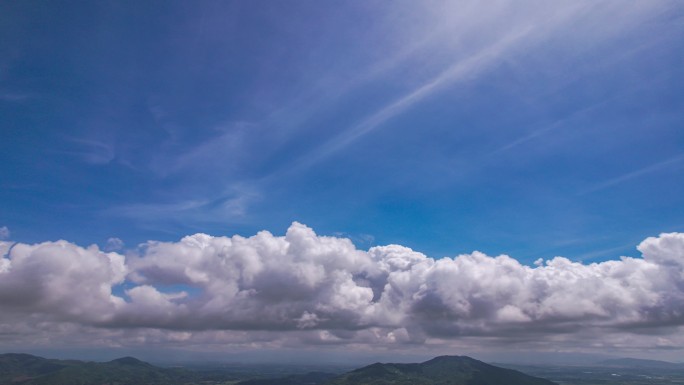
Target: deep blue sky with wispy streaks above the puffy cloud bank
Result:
[[534, 129]]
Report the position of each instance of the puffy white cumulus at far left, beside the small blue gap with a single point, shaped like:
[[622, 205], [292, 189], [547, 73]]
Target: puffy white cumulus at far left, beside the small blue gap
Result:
[[59, 281]]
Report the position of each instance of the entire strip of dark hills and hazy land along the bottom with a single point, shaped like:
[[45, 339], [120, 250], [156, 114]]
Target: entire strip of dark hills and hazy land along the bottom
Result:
[[25, 369]]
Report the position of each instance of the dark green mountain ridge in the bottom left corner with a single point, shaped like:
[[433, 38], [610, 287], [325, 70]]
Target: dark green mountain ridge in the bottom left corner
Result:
[[25, 369]]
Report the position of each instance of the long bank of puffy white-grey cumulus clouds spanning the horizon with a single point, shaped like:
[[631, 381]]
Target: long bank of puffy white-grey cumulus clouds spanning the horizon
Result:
[[306, 289]]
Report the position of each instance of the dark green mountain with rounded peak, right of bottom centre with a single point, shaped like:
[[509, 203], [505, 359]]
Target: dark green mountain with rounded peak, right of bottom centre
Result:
[[444, 370]]
